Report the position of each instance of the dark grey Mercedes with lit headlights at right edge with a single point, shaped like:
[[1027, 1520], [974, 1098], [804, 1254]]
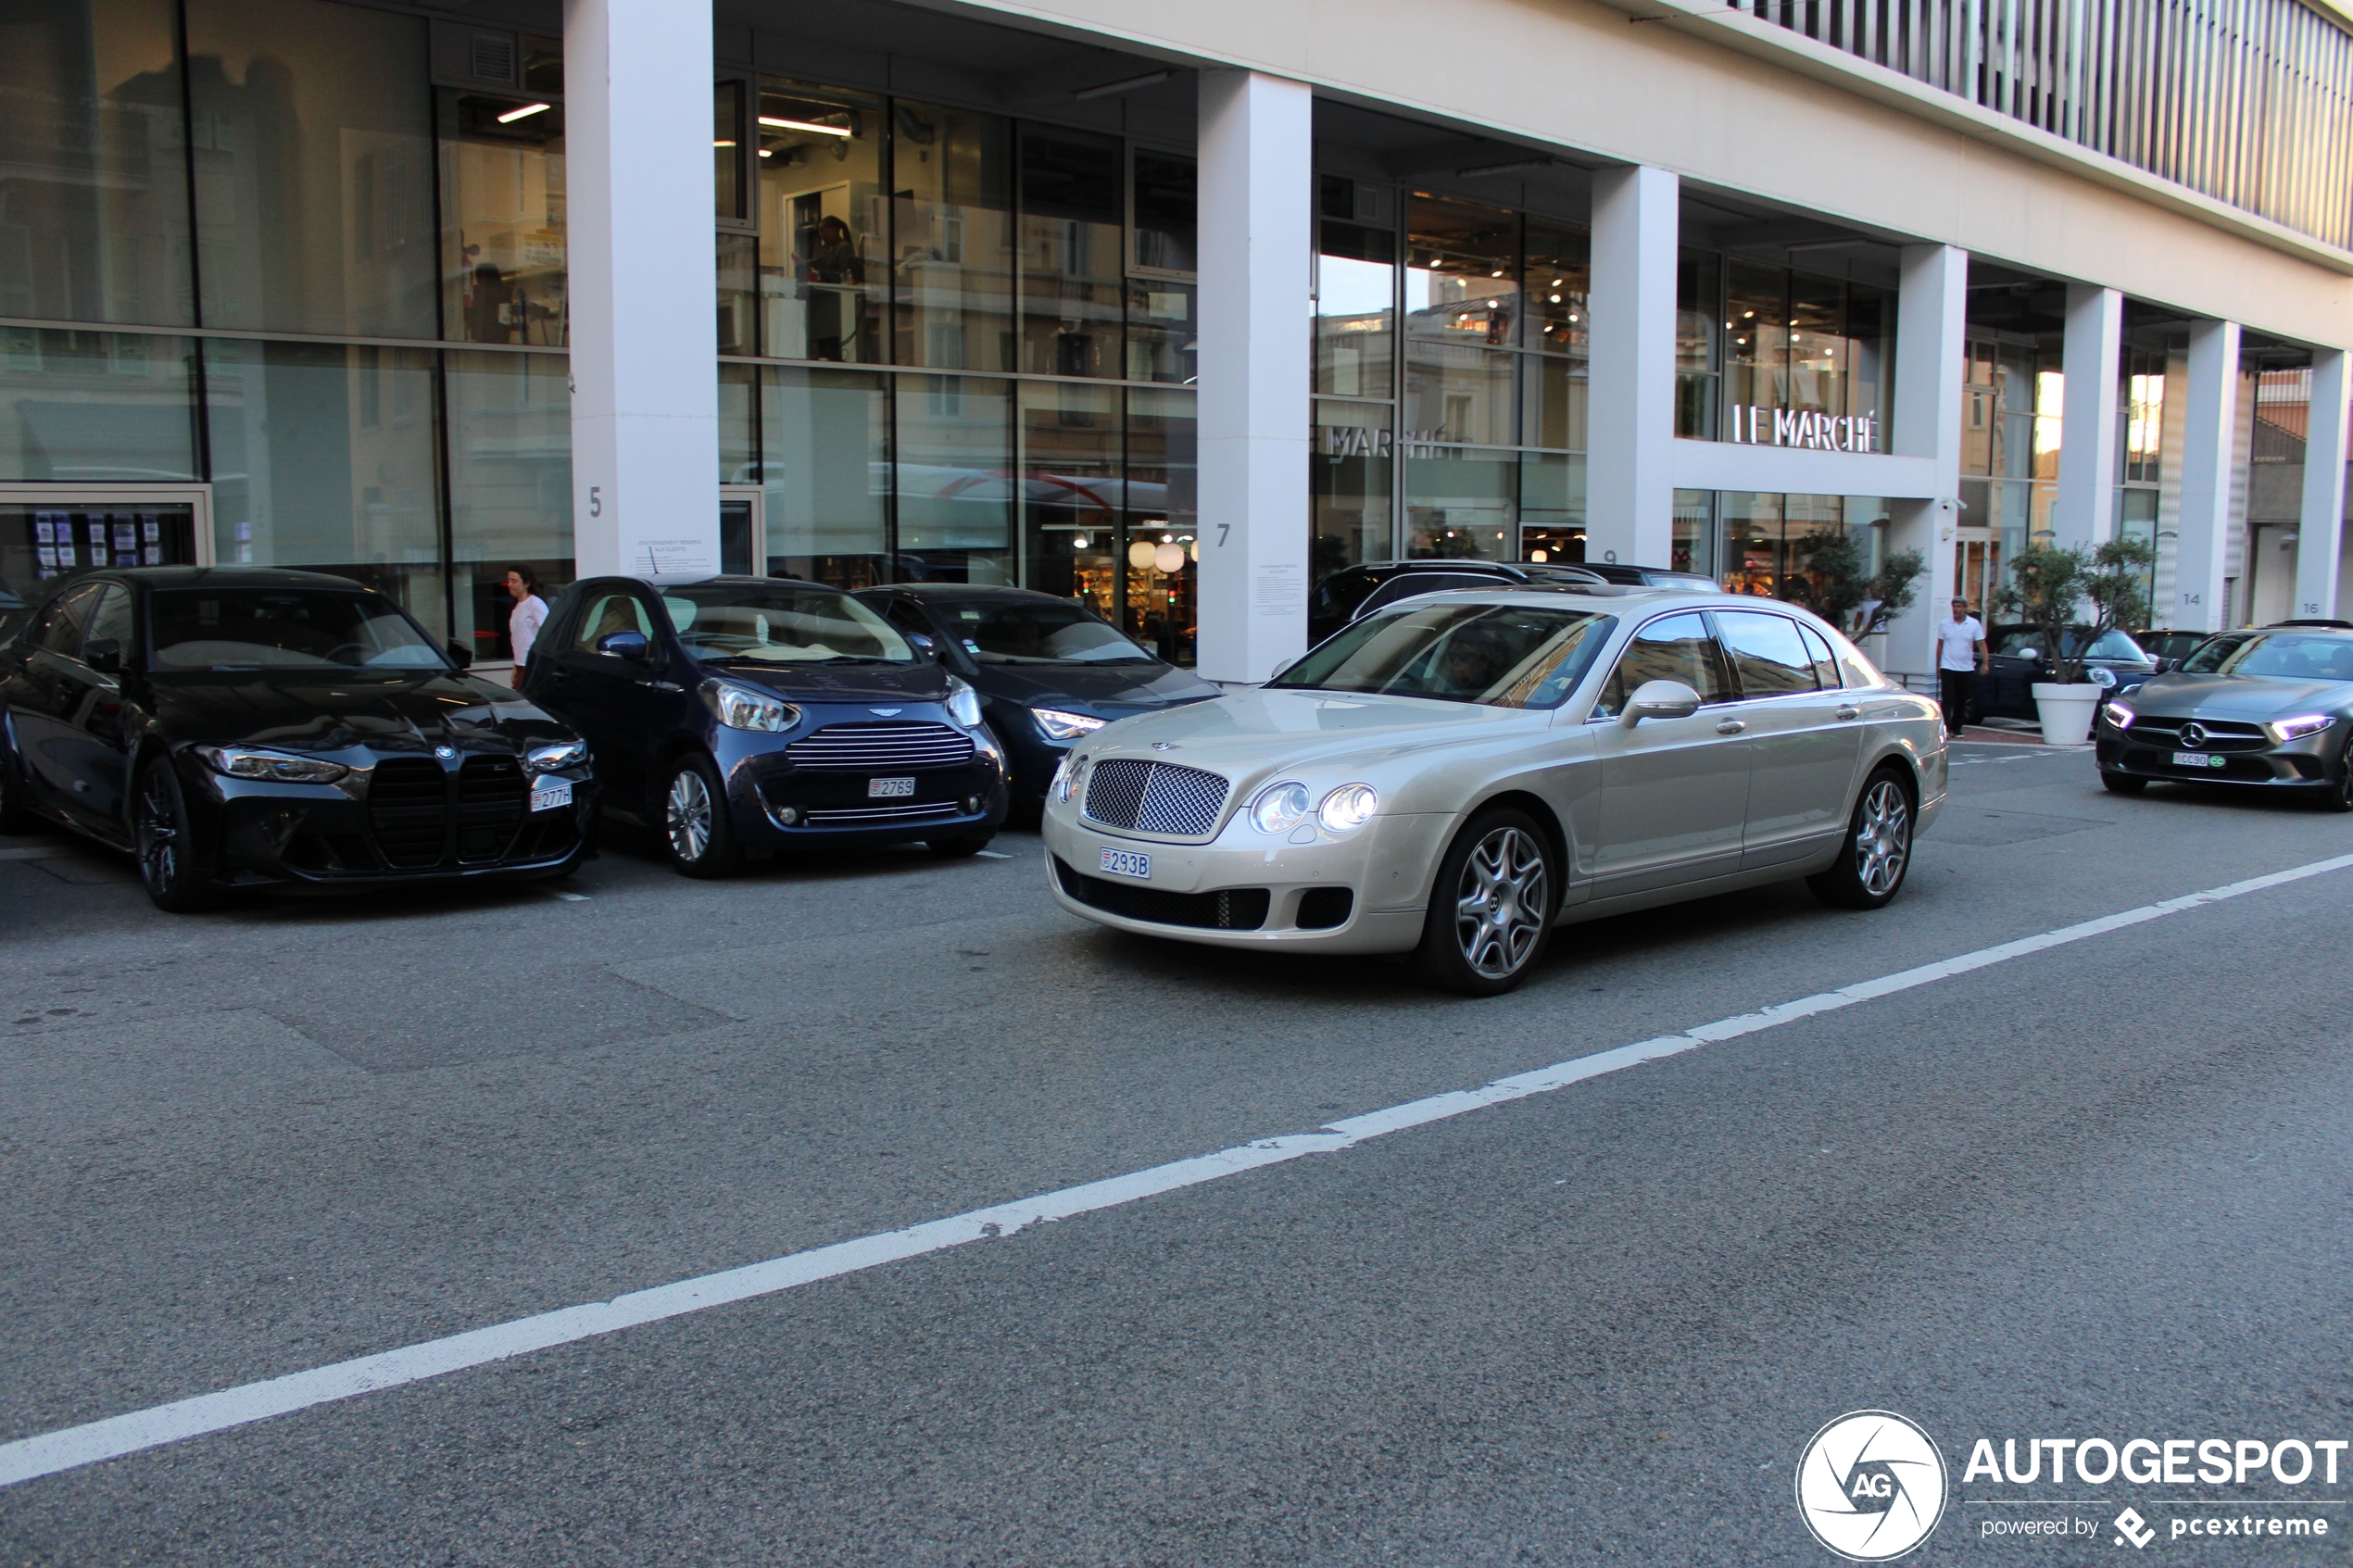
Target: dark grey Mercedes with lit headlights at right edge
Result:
[[2269, 711]]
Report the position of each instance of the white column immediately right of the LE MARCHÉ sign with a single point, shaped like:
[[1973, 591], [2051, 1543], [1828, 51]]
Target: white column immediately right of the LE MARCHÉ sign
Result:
[[1931, 373]]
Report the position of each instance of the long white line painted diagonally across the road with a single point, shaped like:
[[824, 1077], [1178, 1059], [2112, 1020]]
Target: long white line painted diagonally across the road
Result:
[[124, 1435]]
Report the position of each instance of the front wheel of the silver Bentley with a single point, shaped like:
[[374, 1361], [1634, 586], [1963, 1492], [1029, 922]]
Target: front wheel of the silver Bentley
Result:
[[1493, 906]]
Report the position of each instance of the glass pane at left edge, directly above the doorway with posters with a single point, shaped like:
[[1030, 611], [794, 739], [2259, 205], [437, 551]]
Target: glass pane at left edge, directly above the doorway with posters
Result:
[[100, 408]]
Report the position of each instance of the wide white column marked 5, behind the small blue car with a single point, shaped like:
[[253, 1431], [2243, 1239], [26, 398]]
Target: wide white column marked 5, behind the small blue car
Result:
[[644, 290]]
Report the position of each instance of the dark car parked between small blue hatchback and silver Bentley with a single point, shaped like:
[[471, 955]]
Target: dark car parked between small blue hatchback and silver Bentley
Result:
[[1048, 671]]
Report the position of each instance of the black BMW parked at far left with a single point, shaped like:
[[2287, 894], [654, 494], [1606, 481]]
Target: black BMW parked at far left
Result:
[[276, 730]]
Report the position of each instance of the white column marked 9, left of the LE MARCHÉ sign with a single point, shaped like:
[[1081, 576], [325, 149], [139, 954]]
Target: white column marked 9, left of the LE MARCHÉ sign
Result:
[[1632, 373]]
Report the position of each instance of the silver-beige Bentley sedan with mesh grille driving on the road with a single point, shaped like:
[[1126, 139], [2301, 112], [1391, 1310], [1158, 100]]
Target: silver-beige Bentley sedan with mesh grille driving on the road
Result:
[[1462, 772]]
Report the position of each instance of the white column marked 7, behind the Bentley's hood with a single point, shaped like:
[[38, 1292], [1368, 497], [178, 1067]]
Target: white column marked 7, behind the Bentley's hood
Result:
[[1258, 185]]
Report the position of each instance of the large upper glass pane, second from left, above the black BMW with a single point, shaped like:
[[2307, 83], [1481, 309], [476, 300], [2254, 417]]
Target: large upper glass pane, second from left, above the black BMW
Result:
[[314, 168]]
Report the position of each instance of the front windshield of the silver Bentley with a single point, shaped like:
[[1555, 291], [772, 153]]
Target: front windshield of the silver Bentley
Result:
[[1498, 655]]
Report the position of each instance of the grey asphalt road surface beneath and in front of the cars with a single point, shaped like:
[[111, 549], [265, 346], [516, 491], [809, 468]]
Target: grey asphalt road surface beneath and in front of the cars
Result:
[[2098, 1191]]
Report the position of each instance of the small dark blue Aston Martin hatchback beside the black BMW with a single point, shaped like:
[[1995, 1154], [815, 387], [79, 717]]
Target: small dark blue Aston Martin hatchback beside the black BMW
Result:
[[747, 713]]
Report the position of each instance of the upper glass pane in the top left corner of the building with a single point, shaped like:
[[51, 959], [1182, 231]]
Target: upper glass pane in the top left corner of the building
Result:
[[95, 194]]
